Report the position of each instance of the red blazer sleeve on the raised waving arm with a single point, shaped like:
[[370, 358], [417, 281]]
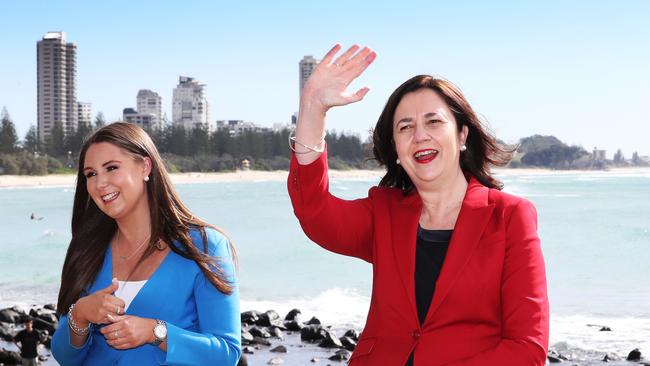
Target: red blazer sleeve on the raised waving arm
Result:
[[341, 226]]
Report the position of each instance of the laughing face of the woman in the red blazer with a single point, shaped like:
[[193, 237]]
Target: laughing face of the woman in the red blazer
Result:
[[426, 138]]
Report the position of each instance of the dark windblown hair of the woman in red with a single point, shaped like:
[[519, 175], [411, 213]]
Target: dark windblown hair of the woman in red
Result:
[[483, 150]]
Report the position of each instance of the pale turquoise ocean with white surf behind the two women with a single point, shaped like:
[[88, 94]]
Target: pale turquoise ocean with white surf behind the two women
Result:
[[595, 231]]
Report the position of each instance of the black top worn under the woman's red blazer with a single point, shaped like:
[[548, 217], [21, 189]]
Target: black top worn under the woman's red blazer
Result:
[[430, 251]]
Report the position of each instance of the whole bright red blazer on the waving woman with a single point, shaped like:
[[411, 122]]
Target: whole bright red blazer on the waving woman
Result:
[[490, 306]]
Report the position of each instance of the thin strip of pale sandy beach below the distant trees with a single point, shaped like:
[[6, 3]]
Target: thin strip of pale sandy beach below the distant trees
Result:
[[68, 180]]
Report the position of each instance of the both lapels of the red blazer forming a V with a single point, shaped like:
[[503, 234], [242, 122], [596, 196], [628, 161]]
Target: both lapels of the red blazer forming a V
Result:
[[474, 215]]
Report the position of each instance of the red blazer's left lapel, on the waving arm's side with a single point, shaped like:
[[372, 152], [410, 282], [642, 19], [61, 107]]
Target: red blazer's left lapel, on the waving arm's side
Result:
[[404, 235]]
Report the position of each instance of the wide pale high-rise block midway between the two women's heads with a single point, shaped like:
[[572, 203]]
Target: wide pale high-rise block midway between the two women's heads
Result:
[[190, 104]]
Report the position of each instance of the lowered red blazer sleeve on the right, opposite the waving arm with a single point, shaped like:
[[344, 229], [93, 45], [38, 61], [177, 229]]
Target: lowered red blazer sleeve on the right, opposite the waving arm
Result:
[[524, 300]]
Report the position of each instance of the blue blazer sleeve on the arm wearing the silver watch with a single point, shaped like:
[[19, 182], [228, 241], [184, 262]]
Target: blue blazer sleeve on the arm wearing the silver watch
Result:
[[219, 340]]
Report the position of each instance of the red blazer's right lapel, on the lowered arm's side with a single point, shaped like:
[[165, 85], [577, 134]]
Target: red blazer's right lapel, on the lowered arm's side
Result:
[[474, 215]]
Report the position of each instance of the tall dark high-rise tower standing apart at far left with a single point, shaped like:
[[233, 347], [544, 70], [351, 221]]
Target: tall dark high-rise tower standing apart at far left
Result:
[[56, 84]]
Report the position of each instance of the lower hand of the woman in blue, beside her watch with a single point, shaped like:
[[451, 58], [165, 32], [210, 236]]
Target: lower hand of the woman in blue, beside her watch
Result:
[[129, 332]]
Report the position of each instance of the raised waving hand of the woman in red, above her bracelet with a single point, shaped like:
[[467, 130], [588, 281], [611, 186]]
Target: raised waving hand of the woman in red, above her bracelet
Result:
[[327, 85]]
